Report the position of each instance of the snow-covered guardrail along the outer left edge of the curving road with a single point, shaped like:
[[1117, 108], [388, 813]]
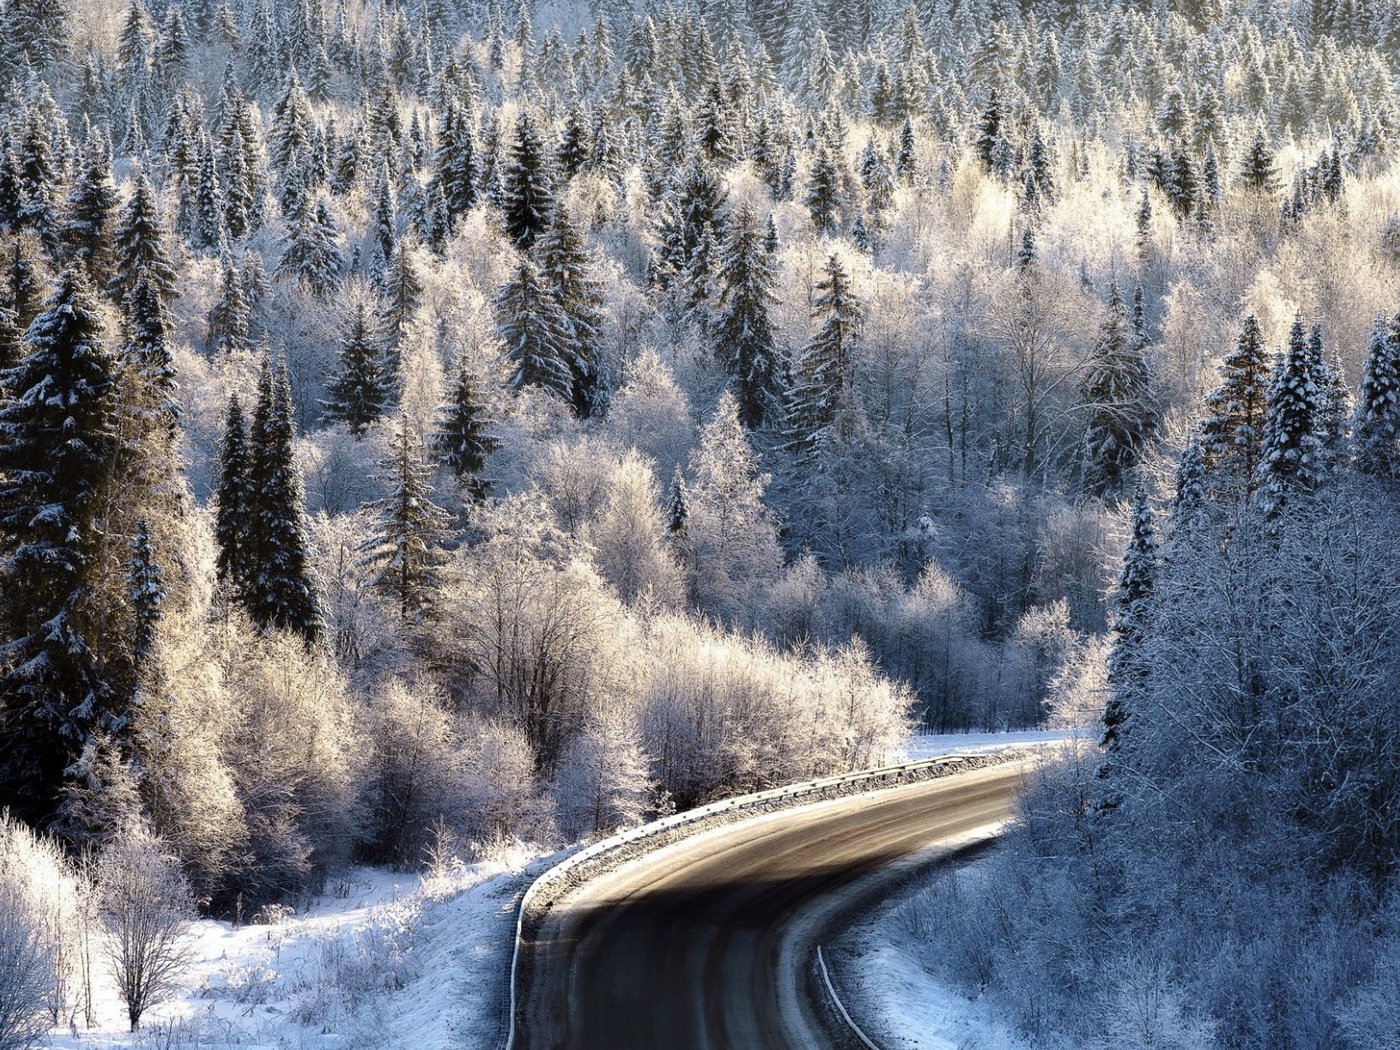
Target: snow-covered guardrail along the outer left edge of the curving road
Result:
[[660, 829]]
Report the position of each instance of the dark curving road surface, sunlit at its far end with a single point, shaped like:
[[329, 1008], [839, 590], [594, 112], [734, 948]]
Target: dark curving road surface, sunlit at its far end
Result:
[[705, 944]]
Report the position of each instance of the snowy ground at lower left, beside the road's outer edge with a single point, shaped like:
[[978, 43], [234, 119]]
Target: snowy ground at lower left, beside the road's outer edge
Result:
[[383, 961]]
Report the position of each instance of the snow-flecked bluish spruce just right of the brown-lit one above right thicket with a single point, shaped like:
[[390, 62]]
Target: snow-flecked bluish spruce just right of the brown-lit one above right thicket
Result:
[[1293, 456]]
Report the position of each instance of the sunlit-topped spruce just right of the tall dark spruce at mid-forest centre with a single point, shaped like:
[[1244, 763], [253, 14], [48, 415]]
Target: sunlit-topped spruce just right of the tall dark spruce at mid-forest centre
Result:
[[825, 373]]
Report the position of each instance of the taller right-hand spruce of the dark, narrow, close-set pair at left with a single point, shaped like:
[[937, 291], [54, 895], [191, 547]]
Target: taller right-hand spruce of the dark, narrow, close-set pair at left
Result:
[[281, 591]]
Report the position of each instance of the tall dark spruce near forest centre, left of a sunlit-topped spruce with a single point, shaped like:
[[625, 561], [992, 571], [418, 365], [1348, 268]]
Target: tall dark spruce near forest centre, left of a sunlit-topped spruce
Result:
[[744, 337]]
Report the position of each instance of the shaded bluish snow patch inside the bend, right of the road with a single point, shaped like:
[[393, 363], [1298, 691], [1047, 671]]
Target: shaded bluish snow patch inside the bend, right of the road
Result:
[[883, 969]]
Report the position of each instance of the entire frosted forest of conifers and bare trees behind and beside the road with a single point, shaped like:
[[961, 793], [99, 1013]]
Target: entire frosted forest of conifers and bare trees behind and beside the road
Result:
[[439, 421]]
